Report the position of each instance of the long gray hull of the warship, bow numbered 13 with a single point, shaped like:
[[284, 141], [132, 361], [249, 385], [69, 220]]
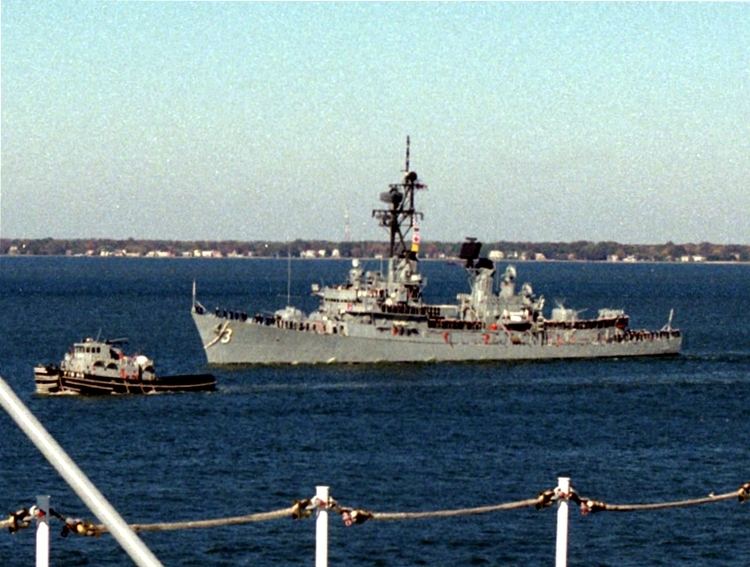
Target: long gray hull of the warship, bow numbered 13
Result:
[[247, 342]]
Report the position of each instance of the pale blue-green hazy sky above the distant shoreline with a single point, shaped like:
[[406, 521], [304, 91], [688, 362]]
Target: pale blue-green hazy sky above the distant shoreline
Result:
[[276, 121]]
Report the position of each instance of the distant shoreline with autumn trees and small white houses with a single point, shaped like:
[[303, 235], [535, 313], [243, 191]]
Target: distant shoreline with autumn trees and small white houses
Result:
[[578, 250]]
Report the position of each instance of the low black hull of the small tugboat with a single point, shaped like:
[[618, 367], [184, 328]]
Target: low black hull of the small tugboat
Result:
[[93, 385]]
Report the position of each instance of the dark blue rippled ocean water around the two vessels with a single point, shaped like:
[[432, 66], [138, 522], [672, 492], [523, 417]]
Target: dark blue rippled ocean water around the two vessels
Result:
[[385, 437]]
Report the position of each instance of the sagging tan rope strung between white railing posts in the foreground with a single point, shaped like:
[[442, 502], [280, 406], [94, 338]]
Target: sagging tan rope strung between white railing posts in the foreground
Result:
[[304, 508]]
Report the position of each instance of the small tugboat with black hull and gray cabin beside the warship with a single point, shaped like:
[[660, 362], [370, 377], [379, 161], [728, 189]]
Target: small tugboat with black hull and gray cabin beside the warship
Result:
[[97, 367]]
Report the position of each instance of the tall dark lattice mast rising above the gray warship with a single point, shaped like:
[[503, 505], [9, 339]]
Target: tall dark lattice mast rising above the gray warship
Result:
[[401, 217]]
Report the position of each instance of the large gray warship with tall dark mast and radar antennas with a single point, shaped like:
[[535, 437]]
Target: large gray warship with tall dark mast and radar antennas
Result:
[[382, 317]]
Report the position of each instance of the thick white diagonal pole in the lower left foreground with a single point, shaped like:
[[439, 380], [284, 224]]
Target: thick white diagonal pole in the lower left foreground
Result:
[[74, 476]]
